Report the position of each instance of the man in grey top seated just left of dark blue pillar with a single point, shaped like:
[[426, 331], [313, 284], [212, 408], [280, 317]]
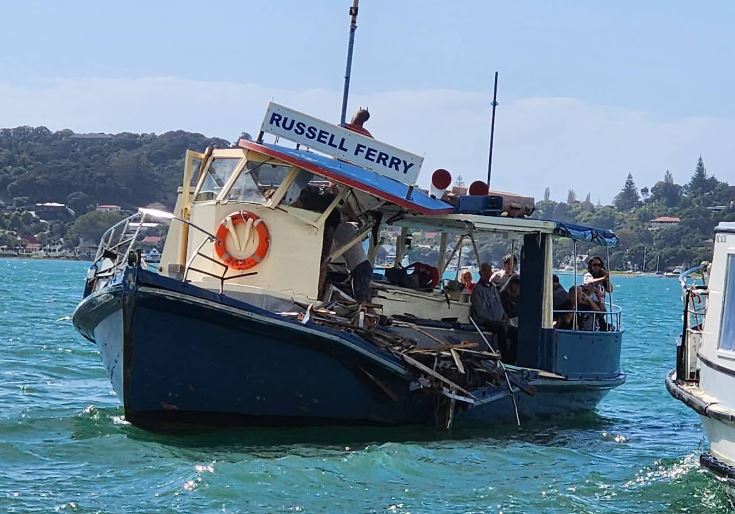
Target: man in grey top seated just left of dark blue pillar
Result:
[[487, 311]]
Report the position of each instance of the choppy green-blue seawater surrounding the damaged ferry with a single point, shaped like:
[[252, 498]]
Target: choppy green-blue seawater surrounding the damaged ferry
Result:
[[65, 447]]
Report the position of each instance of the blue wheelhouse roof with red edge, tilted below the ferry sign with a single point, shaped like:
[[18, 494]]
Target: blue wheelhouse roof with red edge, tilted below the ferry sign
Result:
[[358, 178]]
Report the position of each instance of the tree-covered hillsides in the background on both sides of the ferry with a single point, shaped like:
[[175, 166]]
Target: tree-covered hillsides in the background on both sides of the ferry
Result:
[[131, 170]]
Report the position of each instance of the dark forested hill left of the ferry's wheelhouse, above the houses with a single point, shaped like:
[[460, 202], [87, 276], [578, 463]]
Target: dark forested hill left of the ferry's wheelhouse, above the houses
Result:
[[124, 169]]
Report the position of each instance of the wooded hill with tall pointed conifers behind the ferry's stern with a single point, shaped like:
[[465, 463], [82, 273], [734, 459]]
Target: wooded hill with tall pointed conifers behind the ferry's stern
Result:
[[699, 204]]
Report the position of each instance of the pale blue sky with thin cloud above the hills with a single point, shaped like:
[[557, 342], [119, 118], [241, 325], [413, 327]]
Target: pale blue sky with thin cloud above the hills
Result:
[[587, 89]]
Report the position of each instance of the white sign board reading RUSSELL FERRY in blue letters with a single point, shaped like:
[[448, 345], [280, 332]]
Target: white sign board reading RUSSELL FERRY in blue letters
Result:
[[342, 143]]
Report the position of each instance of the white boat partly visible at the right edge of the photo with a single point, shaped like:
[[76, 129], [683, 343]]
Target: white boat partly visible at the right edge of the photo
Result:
[[704, 378]]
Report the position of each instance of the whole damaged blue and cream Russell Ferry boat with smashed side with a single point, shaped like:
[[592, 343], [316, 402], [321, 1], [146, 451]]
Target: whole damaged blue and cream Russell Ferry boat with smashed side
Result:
[[249, 320]]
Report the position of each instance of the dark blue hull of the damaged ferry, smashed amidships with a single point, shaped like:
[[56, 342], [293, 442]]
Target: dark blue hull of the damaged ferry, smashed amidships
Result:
[[179, 354]]
